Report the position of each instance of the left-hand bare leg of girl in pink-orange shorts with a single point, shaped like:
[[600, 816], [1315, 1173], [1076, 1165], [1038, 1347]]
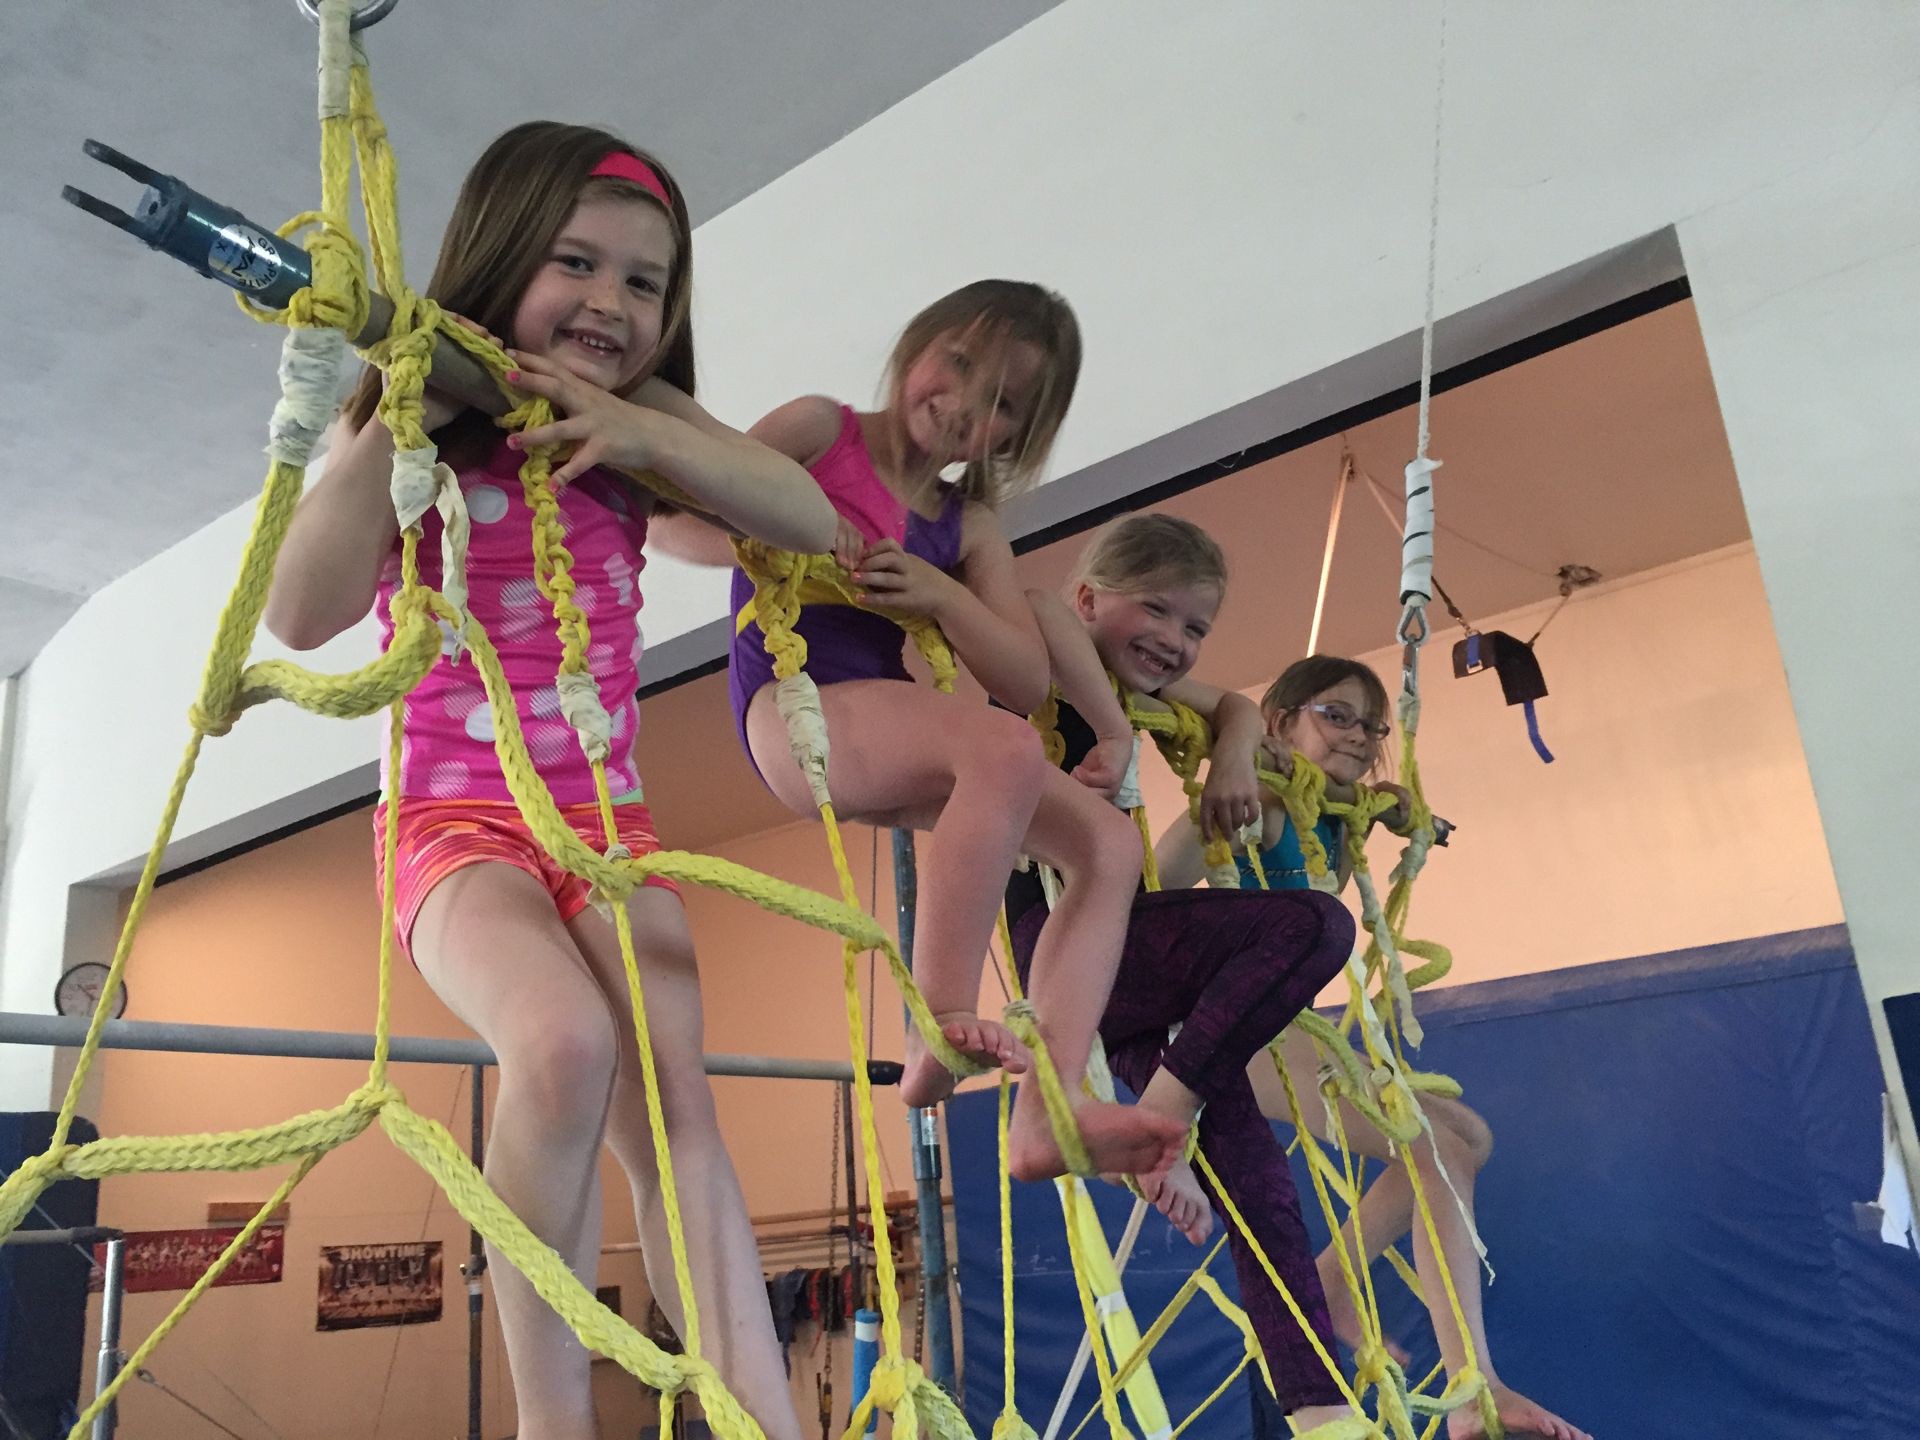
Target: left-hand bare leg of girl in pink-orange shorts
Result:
[[496, 953]]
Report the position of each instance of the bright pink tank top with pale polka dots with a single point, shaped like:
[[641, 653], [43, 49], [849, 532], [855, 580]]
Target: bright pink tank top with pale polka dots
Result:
[[448, 748]]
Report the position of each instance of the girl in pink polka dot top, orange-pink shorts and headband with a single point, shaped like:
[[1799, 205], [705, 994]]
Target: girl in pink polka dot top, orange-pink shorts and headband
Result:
[[573, 247]]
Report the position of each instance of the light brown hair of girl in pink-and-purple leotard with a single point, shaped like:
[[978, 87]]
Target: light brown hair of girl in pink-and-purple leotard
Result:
[[996, 316]]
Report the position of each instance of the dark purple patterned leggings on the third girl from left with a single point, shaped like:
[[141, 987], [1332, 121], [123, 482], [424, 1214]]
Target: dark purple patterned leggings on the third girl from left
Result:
[[1232, 969]]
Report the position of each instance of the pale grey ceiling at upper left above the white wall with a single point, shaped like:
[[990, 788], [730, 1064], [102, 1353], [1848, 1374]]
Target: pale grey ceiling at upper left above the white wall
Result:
[[149, 389]]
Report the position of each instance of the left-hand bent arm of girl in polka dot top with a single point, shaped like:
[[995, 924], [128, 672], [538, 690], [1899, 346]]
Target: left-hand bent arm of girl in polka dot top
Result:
[[329, 567]]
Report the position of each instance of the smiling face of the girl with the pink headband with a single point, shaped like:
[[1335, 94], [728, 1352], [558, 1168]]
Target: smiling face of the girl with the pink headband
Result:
[[598, 302]]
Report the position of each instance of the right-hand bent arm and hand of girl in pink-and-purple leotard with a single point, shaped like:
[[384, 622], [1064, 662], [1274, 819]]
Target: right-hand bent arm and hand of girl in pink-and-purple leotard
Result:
[[982, 608]]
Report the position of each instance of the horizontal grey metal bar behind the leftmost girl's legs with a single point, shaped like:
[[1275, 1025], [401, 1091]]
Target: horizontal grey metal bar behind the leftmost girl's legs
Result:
[[70, 1032]]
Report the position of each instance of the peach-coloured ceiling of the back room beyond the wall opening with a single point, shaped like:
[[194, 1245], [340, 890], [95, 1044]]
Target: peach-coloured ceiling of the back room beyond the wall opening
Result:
[[1606, 454]]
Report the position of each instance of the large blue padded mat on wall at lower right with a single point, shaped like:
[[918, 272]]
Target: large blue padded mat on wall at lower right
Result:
[[1679, 1147]]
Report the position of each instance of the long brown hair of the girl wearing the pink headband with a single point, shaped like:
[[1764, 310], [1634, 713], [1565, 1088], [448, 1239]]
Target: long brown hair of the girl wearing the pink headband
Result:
[[510, 212]]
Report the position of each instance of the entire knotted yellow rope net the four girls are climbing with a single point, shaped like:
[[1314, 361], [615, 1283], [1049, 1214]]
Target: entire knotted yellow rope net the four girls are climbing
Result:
[[318, 322]]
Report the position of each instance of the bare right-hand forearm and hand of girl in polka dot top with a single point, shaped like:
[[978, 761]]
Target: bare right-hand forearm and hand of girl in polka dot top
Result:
[[738, 479]]
